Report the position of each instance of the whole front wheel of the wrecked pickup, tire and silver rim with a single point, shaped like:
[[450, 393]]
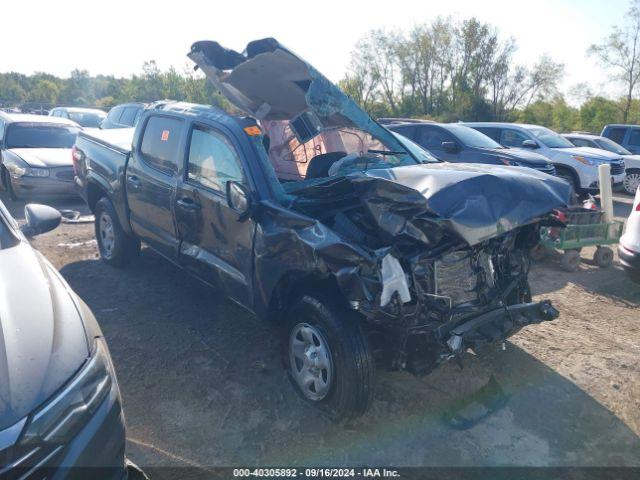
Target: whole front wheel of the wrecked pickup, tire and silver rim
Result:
[[328, 358]]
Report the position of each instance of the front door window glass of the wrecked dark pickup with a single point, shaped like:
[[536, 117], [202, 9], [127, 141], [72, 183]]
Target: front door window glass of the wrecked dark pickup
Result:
[[213, 160]]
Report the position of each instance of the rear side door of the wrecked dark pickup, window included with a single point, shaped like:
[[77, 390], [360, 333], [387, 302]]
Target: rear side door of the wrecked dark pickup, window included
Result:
[[151, 179]]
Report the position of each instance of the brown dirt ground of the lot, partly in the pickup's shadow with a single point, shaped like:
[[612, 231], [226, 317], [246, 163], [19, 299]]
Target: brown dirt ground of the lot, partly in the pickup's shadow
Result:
[[202, 383]]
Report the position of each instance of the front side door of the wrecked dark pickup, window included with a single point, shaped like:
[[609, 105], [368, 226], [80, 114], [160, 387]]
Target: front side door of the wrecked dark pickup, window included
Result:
[[215, 243]]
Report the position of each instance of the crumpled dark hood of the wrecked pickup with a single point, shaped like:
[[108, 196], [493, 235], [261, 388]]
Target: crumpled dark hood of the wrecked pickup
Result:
[[473, 202]]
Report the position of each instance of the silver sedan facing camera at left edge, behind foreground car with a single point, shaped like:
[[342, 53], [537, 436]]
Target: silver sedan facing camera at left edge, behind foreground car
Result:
[[36, 155]]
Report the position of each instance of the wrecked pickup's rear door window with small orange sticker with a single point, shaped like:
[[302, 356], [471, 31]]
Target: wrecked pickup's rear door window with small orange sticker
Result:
[[160, 143]]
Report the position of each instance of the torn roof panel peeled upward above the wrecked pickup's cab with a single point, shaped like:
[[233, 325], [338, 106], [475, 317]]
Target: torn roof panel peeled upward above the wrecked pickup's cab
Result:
[[271, 83]]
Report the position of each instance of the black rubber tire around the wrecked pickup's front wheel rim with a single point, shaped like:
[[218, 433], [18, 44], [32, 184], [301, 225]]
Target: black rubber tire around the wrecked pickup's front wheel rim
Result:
[[350, 389]]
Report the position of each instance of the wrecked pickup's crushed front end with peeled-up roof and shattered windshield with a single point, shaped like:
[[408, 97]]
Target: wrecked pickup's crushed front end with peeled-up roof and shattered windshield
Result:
[[435, 257]]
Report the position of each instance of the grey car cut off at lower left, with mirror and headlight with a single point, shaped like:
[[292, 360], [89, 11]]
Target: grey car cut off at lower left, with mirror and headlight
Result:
[[60, 407]]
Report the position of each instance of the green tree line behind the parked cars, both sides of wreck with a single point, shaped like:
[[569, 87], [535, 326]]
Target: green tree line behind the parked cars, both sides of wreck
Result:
[[446, 70]]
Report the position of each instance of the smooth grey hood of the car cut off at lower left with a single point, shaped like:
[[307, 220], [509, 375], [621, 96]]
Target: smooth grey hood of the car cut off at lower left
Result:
[[42, 337]]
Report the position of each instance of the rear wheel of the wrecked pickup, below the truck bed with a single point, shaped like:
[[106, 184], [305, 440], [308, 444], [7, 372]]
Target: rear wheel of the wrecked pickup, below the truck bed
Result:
[[117, 248]]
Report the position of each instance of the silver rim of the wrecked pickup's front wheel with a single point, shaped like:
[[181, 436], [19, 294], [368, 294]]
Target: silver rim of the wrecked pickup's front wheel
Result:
[[311, 361]]
